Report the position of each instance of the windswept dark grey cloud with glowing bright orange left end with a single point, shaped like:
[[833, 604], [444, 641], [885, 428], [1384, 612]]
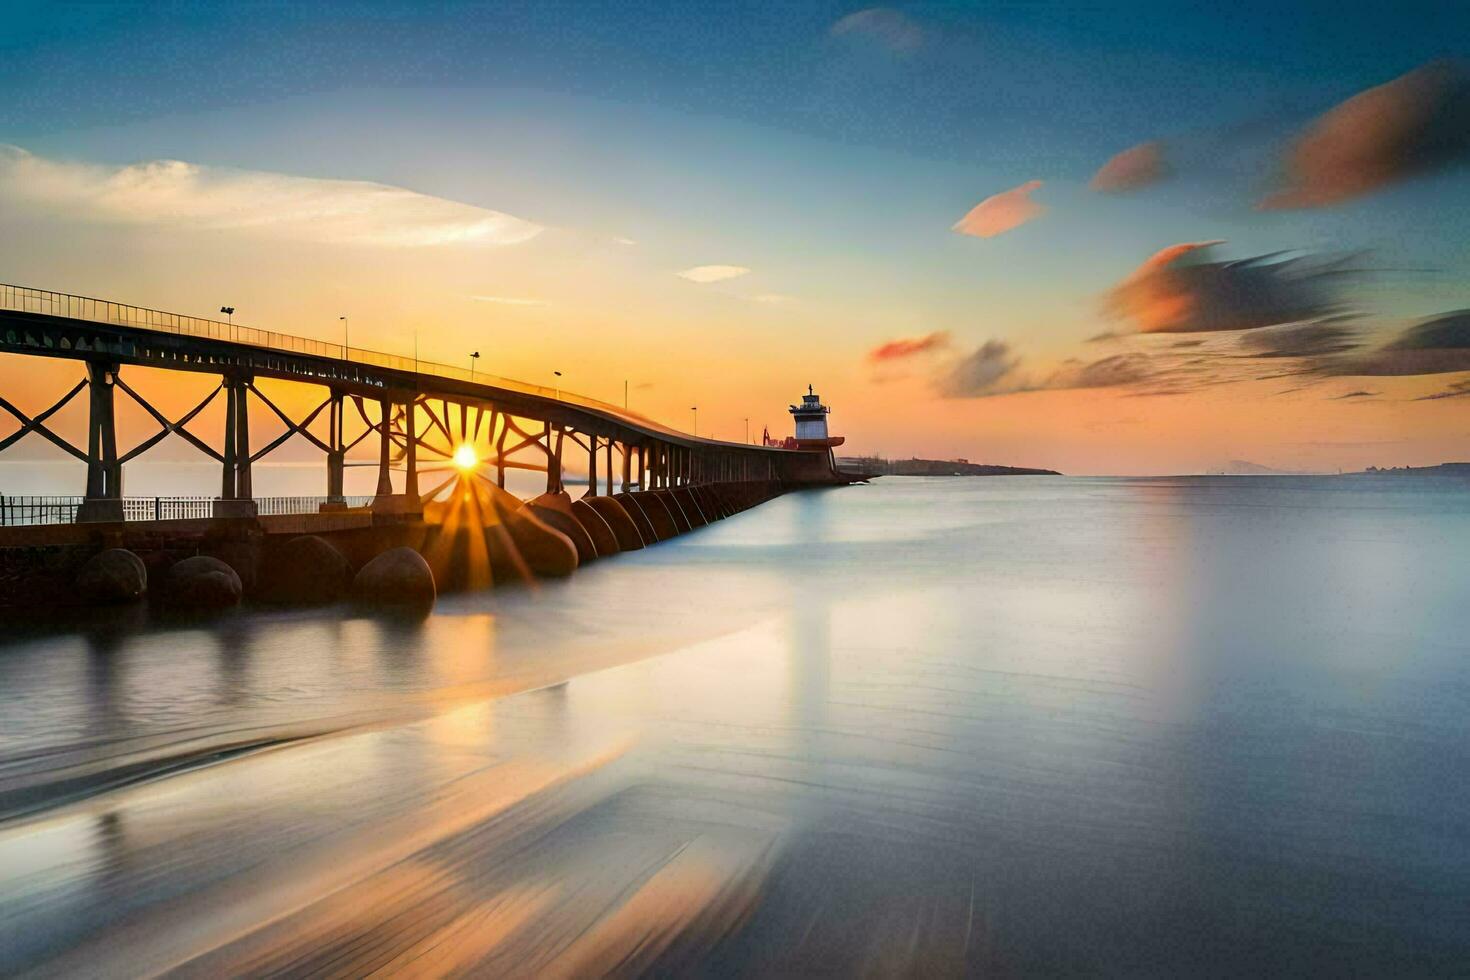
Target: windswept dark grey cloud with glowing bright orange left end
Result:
[[1180, 292]]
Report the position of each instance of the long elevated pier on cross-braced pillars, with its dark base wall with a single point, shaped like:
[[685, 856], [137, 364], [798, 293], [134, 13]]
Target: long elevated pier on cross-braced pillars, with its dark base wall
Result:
[[436, 430]]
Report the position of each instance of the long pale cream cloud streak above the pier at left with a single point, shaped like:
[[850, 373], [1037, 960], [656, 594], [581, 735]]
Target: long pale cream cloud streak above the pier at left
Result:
[[280, 205]]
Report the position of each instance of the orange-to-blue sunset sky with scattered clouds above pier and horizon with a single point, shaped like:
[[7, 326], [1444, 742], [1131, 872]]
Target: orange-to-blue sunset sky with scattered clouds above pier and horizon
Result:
[[1102, 239]]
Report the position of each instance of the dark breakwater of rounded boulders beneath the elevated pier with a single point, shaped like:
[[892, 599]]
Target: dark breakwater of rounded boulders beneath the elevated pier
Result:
[[477, 537]]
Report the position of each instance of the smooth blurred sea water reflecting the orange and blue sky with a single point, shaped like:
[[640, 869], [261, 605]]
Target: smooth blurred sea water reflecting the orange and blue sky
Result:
[[1021, 727]]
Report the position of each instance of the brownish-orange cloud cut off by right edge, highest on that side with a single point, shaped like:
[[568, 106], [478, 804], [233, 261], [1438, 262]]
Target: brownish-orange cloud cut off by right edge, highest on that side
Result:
[[1416, 124]]
